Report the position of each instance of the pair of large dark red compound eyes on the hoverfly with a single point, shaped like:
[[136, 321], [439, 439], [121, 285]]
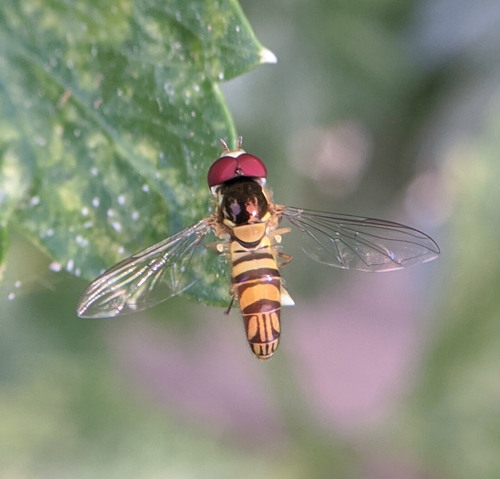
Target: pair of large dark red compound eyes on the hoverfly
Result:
[[226, 168]]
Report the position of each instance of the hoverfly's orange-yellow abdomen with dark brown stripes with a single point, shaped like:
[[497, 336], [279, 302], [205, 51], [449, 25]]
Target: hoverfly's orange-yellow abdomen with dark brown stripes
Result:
[[257, 282]]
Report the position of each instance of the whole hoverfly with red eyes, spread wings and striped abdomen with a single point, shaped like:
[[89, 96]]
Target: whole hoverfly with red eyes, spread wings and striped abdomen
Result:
[[247, 222]]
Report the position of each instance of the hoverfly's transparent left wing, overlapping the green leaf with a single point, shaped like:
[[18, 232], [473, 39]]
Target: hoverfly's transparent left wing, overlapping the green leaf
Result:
[[146, 278]]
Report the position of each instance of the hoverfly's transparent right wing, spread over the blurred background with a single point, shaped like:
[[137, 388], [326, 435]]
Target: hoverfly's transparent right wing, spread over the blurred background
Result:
[[362, 244]]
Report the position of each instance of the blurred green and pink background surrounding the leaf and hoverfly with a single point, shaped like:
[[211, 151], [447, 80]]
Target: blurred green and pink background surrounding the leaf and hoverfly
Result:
[[381, 108]]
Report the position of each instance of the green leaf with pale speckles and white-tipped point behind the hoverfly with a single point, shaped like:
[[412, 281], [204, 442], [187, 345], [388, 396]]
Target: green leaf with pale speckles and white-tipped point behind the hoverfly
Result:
[[110, 117]]
